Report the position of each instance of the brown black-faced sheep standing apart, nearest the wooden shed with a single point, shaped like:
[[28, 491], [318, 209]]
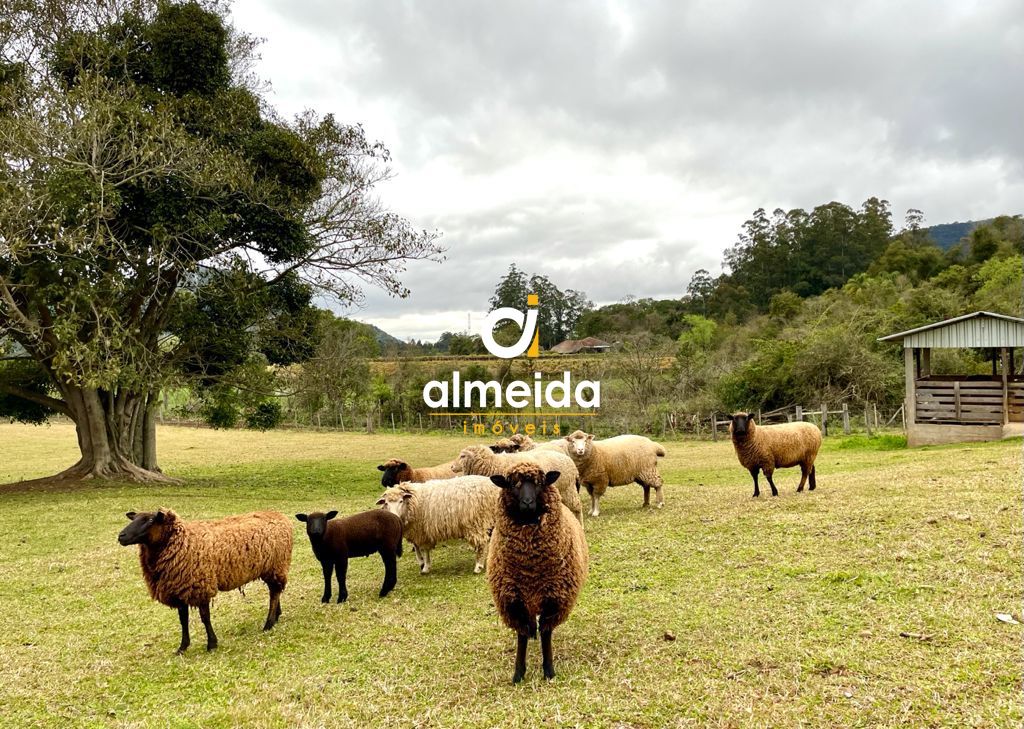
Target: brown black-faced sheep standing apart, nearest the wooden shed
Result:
[[765, 448]]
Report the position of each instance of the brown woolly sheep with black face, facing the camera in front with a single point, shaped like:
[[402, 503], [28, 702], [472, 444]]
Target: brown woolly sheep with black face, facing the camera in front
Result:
[[538, 563]]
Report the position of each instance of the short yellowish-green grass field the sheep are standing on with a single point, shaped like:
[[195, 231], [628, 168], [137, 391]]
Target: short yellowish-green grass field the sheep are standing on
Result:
[[718, 611]]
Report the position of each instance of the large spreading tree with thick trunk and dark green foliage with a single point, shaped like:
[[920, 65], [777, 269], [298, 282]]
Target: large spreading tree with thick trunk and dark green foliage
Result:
[[160, 224]]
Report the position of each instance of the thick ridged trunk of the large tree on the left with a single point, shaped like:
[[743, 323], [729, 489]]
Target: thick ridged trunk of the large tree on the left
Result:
[[117, 436]]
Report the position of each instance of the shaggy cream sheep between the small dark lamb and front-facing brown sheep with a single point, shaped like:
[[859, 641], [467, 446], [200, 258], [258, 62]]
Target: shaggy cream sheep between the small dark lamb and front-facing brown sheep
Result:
[[459, 508]]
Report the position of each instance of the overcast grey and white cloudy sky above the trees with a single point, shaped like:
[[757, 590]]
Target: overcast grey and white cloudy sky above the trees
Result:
[[618, 147]]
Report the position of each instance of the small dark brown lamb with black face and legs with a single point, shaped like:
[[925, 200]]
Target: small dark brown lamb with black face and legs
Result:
[[336, 541]]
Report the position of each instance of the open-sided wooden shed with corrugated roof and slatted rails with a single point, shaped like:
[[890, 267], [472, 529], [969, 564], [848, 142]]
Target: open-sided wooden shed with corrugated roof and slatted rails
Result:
[[947, 409]]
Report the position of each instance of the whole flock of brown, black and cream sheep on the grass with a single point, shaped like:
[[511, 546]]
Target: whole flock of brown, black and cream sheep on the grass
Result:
[[528, 532]]
